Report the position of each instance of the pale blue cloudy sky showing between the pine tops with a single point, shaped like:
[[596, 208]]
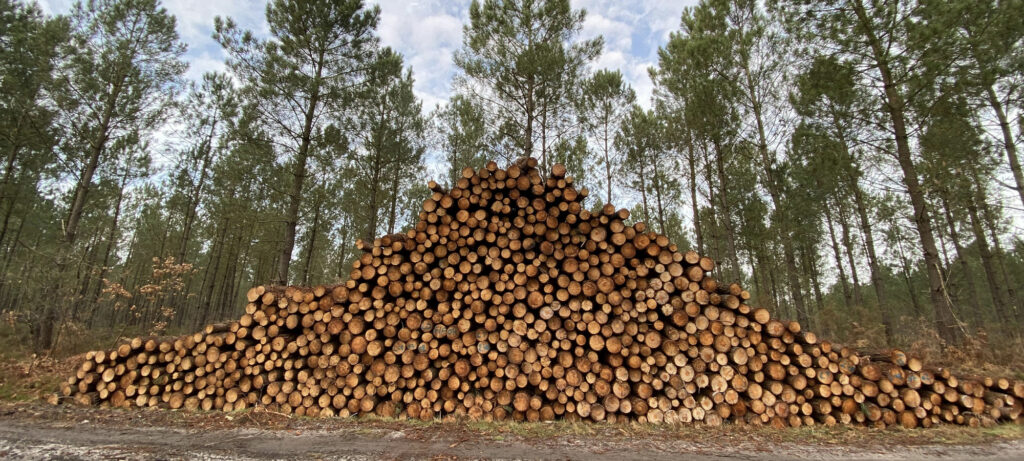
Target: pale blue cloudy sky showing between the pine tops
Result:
[[429, 32]]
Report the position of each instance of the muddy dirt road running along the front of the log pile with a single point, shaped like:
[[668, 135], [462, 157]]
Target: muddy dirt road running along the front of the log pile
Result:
[[33, 432]]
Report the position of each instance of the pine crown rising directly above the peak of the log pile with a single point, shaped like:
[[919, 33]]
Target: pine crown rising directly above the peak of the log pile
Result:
[[521, 61]]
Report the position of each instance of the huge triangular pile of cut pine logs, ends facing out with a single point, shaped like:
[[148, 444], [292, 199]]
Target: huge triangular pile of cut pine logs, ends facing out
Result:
[[510, 301]]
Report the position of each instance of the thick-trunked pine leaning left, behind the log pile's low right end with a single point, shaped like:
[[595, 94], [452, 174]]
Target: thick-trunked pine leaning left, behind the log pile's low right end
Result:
[[903, 56]]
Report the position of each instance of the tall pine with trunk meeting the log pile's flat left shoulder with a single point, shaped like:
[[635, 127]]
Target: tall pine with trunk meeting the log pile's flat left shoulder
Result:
[[300, 80]]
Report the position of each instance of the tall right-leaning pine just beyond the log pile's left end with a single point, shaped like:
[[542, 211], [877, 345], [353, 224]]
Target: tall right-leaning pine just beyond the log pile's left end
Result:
[[116, 87]]
